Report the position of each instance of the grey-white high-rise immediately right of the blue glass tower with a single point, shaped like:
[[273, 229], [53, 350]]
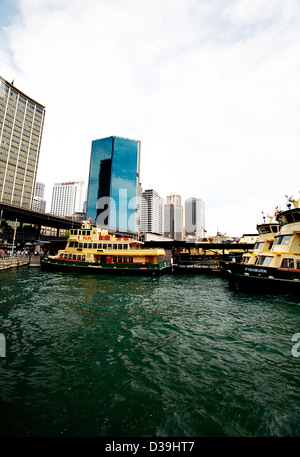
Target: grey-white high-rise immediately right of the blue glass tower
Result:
[[152, 212]]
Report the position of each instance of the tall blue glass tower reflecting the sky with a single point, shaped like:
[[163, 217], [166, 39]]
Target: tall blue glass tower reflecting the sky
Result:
[[114, 184]]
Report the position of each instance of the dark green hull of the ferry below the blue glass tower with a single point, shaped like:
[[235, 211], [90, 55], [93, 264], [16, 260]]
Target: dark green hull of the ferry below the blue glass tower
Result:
[[89, 268]]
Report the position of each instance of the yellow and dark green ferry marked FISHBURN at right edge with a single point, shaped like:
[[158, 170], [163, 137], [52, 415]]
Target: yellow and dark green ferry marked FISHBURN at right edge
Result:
[[274, 264]]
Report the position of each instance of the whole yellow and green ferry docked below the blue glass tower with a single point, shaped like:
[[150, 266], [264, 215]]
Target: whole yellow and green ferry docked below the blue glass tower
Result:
[[91, 249]]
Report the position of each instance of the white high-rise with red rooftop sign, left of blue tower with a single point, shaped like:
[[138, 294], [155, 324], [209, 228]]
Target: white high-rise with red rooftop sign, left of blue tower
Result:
[[67, 198]]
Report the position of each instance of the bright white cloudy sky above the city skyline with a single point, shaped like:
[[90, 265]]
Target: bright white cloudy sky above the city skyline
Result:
[[209, 87]]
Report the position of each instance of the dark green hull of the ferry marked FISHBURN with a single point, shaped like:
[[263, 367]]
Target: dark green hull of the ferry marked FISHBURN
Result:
[[259, 278]]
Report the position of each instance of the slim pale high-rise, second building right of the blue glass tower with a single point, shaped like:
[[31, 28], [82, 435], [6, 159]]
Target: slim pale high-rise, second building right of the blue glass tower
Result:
[[173, 217]]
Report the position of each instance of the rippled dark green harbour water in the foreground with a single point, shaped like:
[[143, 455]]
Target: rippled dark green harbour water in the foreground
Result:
[[155, 357]]
